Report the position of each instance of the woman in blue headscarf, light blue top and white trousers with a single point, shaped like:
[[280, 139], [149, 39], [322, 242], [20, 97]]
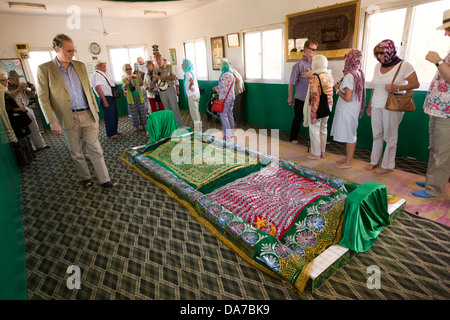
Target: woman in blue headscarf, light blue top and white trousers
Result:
[[191, 92]]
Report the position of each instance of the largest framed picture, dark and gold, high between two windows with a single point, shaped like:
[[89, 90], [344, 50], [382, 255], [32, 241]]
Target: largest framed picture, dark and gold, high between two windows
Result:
[[334, 27]]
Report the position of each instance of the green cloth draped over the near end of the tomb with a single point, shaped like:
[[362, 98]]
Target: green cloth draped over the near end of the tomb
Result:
[[365, 214]]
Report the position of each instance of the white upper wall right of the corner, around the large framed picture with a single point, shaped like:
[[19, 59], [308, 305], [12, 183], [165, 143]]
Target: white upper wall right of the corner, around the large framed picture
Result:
[[230, 16]]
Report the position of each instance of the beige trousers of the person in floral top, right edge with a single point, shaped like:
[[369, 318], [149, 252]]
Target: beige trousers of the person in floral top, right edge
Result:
[[438, 170]]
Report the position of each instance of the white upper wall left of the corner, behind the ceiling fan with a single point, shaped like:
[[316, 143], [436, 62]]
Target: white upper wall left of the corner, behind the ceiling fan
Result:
[[39, 31]]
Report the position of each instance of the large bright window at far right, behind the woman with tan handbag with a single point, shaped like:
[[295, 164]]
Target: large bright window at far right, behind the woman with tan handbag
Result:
[[413, 29]]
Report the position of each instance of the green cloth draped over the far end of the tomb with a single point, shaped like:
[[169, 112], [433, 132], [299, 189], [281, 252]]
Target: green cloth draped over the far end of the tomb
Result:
[[161, 124]]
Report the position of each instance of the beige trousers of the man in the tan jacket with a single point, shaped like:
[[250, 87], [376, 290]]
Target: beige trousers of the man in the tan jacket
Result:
[[85, 131]]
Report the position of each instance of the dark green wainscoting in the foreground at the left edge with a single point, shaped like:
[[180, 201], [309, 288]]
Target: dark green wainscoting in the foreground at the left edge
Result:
[[13, 283]]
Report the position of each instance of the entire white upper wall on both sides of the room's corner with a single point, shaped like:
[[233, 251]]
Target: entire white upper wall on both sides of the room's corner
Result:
[[216, 19]]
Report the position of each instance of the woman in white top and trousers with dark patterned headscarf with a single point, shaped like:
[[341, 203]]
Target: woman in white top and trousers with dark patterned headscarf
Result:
[[385, 123]]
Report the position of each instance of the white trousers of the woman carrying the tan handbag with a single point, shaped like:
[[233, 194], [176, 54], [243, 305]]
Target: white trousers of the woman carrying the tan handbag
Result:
[[385, 125]]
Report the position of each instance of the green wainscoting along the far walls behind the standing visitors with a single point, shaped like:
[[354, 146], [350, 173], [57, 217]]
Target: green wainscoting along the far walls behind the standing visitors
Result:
[[266, 105]]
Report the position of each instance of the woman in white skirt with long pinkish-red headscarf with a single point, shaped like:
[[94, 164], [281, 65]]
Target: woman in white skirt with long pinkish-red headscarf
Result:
[[350, 106]]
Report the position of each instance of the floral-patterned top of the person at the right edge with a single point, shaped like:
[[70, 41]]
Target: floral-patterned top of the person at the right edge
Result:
[[437, 102]]
